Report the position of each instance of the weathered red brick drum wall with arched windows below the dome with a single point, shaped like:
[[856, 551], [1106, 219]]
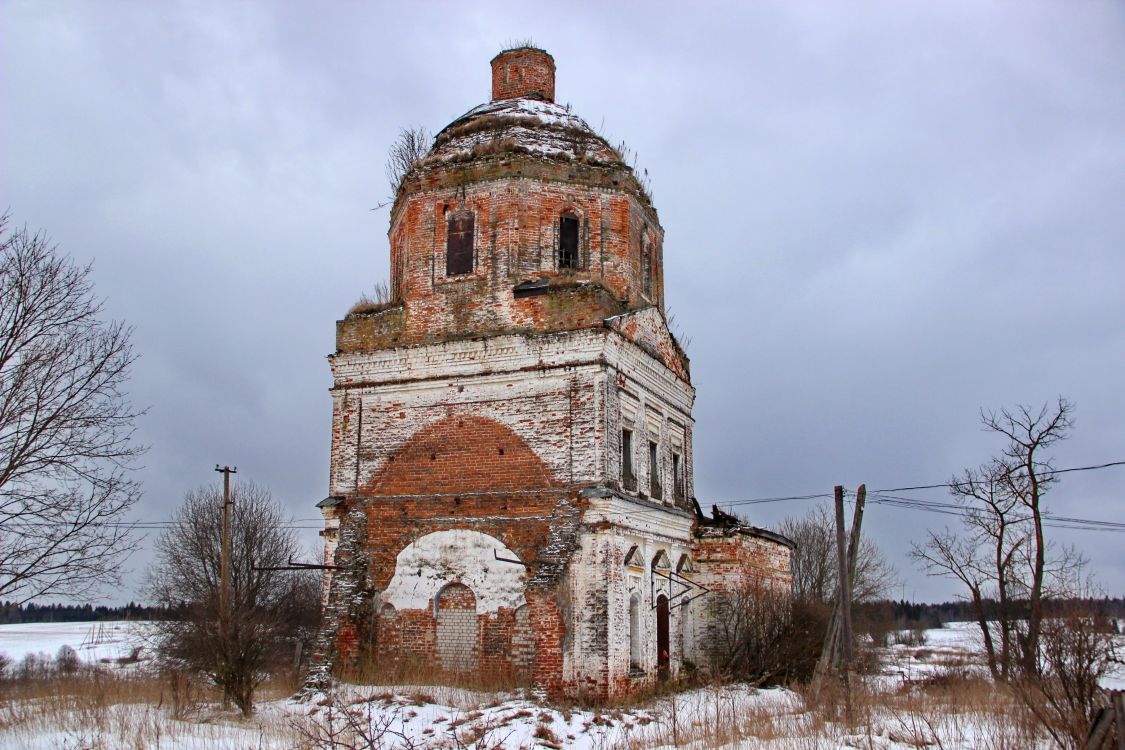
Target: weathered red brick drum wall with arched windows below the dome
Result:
[[516, 240]]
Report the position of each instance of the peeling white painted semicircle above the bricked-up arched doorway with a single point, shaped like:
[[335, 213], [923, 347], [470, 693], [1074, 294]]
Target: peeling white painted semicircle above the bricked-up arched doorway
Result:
[[458, 555]]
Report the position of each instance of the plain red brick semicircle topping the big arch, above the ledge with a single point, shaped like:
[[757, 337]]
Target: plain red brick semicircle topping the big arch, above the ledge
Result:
[[461, 455]]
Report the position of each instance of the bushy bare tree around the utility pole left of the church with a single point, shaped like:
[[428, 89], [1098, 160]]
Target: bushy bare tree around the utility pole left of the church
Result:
[[268, 610]]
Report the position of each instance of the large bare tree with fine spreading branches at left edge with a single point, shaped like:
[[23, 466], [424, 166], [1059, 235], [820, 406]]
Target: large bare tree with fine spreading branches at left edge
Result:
[[67, 428]]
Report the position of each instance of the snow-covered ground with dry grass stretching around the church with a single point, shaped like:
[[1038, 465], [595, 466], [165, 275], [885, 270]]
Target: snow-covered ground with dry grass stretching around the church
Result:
[[892, 716]]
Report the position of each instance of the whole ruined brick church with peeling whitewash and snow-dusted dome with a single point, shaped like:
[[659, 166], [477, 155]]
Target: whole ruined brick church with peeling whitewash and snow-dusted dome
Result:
[[511, 478]]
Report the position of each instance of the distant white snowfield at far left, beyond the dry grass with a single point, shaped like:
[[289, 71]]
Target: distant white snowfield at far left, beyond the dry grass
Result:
[[94, 641]]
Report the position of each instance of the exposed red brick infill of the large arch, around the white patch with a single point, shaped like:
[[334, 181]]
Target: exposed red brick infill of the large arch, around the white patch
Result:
[[415, 495]]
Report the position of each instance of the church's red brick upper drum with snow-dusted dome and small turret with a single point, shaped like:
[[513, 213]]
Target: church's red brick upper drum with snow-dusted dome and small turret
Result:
[[520, 219]]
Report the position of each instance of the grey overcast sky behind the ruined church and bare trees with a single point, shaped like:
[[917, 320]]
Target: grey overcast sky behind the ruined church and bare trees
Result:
[[880, 219]]
